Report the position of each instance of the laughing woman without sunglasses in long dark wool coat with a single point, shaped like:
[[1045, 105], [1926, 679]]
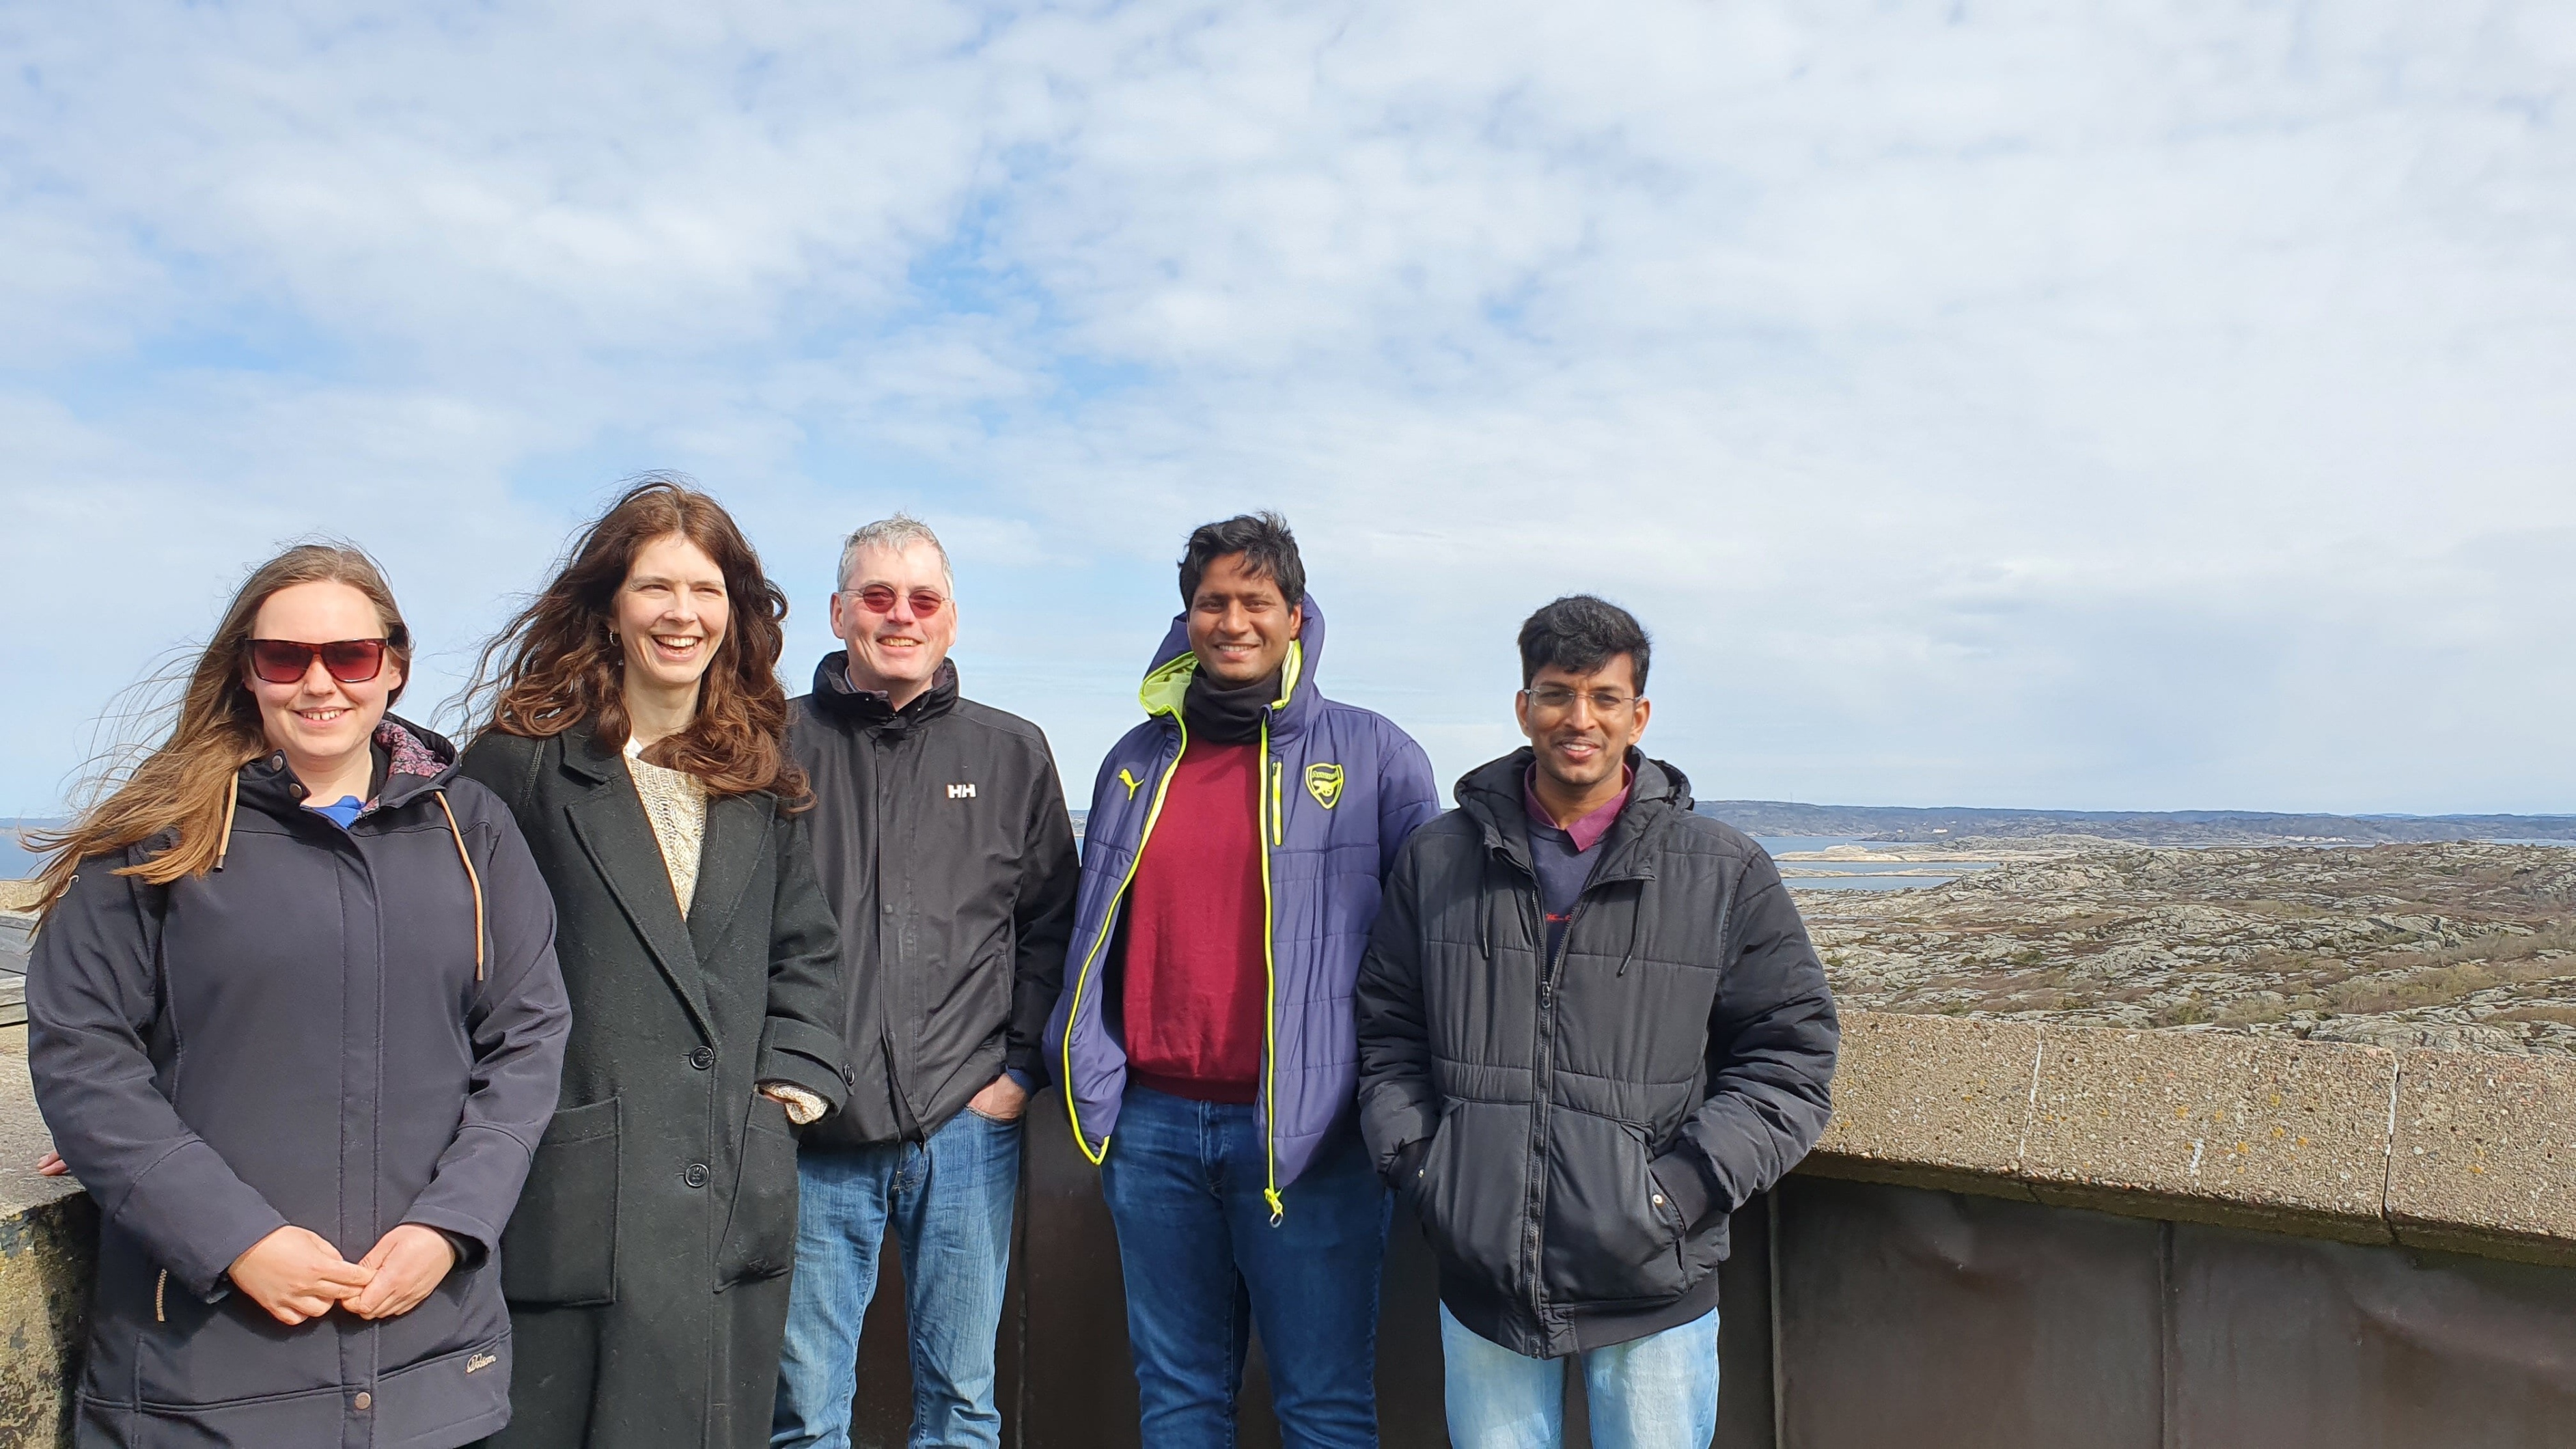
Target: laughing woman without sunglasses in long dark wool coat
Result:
[[640, 734]]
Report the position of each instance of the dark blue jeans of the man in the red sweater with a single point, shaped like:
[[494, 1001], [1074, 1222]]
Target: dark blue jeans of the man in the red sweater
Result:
[[1204, 1267]]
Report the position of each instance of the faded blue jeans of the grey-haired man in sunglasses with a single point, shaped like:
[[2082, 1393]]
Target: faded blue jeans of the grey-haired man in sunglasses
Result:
[[949, 1203]]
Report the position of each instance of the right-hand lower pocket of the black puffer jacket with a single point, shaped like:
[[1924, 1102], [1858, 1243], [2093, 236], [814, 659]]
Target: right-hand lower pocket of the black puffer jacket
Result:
[[1614, 1234]]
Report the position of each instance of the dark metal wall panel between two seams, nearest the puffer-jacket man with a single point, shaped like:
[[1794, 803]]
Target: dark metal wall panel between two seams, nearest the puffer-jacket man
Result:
[[1928, 1321]]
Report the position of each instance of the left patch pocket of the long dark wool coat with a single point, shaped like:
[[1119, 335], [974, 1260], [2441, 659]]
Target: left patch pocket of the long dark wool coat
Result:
[[563, 1241]]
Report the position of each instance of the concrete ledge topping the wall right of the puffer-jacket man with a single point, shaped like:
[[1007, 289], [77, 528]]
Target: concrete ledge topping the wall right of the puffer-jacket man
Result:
[[2456, 1151]]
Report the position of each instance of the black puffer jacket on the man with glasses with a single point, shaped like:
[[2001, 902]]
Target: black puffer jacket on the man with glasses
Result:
[[1575, 1133]]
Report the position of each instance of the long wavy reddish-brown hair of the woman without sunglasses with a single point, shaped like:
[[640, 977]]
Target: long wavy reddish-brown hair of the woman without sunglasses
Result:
[[555, 666]]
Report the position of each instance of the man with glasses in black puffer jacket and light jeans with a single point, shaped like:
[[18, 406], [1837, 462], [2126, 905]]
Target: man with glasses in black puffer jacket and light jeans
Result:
[[1591, 1027]]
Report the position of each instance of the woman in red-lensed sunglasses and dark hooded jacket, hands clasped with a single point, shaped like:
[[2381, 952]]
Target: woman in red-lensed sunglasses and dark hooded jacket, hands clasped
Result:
[[300, 1211]]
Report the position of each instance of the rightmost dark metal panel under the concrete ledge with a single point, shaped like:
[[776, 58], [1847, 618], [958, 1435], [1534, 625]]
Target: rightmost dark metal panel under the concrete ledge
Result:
[[2286, 1342]]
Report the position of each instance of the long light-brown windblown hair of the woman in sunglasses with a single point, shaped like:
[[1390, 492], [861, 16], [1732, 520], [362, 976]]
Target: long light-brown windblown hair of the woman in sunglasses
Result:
[[182, 785]]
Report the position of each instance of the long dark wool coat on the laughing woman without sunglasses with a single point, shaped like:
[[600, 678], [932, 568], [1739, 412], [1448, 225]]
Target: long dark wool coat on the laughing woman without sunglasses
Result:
[[648, 1265]]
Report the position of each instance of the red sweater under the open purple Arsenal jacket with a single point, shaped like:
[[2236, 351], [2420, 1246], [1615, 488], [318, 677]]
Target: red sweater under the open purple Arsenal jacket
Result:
[[1197, 984]]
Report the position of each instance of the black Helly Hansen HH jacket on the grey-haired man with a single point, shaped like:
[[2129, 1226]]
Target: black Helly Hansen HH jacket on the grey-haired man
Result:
[[944, 844]]
